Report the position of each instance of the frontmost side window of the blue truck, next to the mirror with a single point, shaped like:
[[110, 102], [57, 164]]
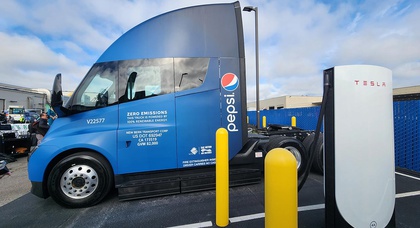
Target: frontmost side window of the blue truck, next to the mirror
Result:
[[98, 88]]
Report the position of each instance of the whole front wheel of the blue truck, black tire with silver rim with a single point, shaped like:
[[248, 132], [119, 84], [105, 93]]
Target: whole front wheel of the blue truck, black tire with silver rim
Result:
[[80, 180]]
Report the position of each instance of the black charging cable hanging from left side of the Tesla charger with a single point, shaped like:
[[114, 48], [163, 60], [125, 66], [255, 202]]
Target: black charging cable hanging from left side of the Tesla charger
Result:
[[327, 87]]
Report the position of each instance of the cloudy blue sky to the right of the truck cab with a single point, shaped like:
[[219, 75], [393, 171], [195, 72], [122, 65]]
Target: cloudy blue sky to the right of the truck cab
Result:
[[301, 39]]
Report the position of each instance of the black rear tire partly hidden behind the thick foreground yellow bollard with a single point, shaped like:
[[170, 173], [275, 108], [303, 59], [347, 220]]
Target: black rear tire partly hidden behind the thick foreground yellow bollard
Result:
[[294, 146]]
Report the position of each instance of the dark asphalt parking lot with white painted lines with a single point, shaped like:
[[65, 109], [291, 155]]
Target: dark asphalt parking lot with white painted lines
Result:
[[194, 209]]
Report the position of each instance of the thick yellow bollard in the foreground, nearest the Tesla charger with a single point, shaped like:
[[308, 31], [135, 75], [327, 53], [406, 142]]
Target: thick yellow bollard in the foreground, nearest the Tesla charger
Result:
[[281, 202]]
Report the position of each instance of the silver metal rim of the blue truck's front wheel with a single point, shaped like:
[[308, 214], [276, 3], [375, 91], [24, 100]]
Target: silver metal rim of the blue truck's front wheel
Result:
[[79, 181]]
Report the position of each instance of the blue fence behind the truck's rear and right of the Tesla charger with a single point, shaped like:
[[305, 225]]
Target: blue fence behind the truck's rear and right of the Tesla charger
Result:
[[406, 128]]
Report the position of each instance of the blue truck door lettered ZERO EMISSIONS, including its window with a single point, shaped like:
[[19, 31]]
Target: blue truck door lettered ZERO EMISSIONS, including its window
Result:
[[146, 132]]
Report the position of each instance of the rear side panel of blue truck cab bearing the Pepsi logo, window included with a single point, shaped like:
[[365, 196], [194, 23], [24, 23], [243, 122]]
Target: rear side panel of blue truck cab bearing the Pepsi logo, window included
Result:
[[201, 108]]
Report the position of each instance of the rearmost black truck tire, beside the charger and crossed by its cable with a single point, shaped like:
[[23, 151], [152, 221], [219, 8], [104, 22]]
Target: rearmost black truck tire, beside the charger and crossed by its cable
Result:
[[318, 160]]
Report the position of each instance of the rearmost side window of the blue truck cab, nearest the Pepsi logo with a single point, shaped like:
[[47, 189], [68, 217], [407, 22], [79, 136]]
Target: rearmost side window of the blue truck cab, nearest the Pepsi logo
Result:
[[190, 72]]
